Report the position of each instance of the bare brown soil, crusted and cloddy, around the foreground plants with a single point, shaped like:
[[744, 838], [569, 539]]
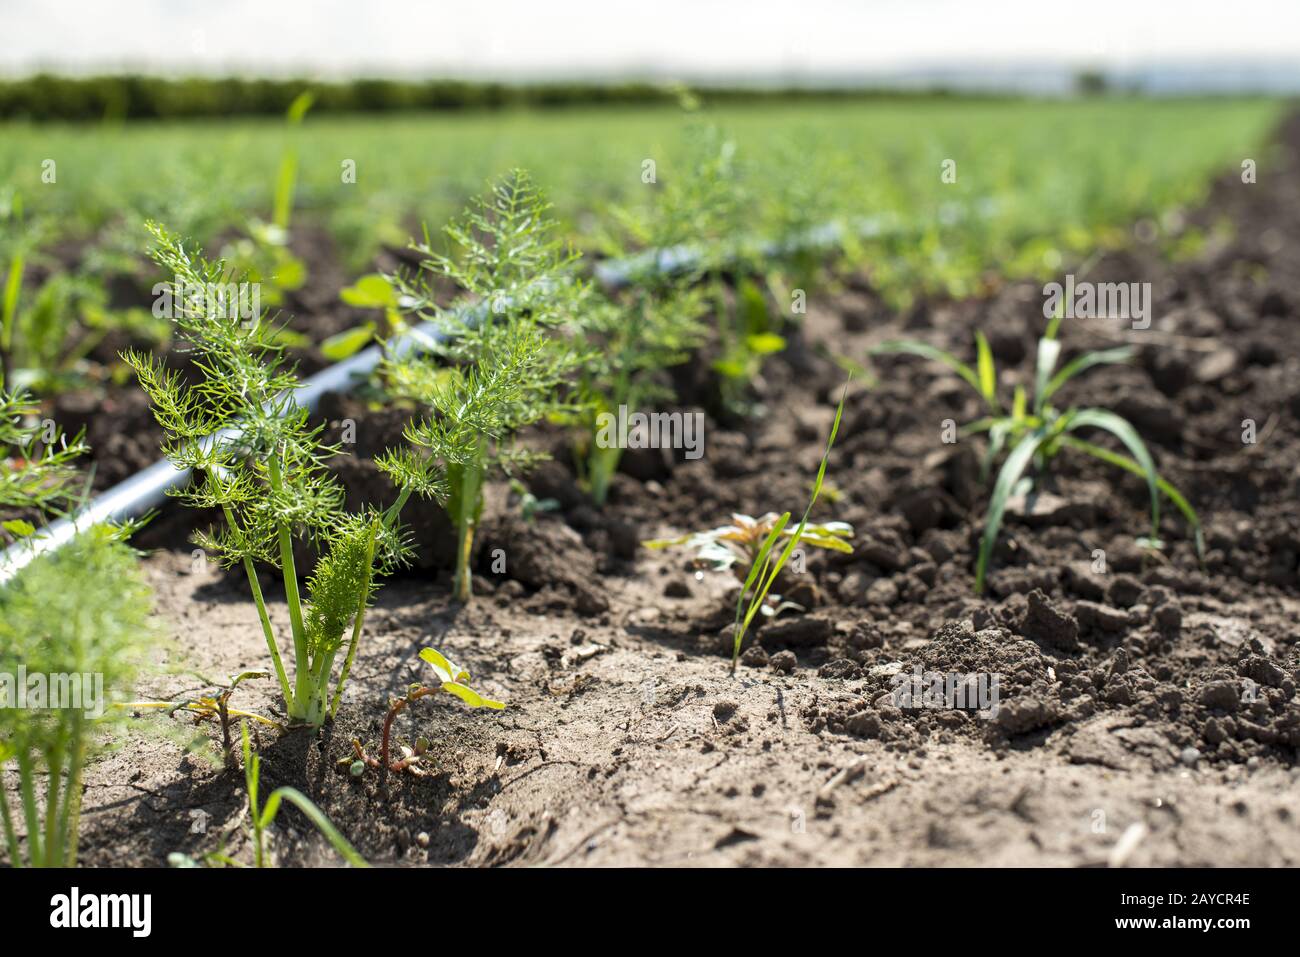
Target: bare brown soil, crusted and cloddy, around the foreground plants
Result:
[[1156, 699]]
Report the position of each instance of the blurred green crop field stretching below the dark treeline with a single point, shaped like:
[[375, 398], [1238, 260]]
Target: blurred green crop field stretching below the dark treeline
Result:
[[1038, 184]]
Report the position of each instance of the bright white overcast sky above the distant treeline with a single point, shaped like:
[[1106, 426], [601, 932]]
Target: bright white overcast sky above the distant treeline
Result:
[[729, 38]]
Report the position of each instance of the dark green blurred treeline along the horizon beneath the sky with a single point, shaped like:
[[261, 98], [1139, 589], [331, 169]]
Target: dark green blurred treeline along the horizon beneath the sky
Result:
[[47, 97]]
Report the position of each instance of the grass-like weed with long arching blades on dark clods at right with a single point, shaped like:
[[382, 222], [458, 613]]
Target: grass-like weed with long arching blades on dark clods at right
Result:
[[1035, 434]]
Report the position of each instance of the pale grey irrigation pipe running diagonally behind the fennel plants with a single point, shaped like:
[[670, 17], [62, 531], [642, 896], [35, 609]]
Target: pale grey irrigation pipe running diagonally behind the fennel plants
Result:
[[149, 490]]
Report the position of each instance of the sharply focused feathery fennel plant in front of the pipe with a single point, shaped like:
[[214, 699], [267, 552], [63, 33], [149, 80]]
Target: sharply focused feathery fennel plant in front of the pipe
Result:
[[263, 469]]
